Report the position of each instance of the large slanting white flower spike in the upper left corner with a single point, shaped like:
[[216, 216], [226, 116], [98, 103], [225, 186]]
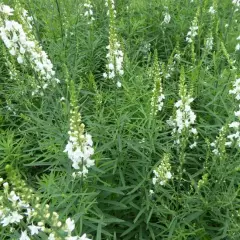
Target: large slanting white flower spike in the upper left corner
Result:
[[22, 44]]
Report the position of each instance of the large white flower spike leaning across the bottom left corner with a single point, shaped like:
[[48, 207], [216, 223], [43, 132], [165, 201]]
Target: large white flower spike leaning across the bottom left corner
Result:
[[25, 216]]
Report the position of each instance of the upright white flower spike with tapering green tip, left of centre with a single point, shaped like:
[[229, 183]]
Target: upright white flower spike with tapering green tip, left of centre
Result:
[[80, 145]]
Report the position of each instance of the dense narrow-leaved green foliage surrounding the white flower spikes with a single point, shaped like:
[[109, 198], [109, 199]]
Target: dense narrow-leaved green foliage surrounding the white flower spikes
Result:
[[202, 200]]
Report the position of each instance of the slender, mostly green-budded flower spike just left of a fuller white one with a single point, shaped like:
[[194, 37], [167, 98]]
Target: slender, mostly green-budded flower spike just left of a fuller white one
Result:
[[158, 96]]
